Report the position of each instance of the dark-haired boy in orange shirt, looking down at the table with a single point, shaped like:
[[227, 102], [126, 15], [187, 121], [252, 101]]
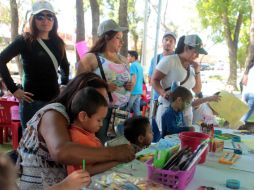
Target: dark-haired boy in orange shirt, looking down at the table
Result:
[[88, 109]]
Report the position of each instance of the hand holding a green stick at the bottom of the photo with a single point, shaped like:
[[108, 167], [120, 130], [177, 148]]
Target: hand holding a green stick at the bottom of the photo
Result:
[[76, 180]]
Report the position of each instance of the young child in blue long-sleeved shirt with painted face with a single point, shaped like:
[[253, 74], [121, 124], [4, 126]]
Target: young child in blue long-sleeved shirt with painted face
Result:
[[172, 120]]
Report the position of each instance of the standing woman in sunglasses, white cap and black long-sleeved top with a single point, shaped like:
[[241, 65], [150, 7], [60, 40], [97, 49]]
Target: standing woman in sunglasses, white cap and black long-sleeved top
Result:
[[42, 52]]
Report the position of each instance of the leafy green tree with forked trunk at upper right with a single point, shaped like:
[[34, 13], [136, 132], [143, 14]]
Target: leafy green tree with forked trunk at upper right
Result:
[[225, 18]]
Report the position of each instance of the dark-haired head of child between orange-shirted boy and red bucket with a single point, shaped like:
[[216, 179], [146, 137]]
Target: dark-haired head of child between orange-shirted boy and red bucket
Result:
[[138, 131]]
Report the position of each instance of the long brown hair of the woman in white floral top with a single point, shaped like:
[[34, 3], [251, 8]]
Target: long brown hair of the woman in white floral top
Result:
[[100, 44]]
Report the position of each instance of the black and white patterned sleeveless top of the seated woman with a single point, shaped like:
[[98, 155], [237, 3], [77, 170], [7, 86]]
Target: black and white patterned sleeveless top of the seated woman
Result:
[[38, 169]]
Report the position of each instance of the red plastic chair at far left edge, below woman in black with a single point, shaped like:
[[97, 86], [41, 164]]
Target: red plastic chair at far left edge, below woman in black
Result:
[[6, 123]]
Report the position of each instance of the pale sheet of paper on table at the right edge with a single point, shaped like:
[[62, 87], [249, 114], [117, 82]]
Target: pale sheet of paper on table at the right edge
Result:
[[245, 163]]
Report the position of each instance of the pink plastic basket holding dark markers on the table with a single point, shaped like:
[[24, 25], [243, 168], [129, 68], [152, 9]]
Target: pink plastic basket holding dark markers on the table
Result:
[[173, 179]]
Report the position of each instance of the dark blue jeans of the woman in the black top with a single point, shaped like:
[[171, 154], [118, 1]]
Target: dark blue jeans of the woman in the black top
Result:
[[27, 110]]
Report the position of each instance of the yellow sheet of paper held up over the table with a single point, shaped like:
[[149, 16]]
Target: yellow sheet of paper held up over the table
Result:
[[230, 108]]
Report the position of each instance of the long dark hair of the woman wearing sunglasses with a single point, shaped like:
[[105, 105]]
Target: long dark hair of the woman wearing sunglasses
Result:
[[32, 35]]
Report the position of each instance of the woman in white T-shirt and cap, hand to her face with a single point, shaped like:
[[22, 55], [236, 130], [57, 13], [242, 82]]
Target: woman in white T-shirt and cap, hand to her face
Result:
[[180, 67]]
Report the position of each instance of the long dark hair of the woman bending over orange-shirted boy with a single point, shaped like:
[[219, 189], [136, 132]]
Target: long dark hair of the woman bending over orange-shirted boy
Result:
[[81, 81]]
